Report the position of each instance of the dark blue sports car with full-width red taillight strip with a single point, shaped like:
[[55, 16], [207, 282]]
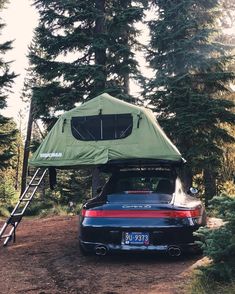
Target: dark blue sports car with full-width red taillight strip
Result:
[[141, 209]]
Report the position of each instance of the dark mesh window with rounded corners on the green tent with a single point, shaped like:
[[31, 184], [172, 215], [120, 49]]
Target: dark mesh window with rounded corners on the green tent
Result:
[[102, 127]]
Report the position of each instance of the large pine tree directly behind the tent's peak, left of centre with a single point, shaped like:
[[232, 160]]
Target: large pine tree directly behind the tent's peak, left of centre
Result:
[[88, 48]]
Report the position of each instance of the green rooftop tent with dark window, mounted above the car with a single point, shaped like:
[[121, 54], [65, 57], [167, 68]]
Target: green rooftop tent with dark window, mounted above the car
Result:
[[104, 130]]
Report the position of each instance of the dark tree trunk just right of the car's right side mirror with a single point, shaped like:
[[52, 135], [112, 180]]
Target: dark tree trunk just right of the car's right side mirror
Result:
[[210, 185]]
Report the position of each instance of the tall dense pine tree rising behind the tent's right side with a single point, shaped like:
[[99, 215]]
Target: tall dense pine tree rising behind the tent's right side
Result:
[[189, 84]]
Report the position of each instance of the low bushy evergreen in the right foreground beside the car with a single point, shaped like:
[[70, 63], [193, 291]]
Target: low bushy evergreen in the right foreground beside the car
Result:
[[219, 244]]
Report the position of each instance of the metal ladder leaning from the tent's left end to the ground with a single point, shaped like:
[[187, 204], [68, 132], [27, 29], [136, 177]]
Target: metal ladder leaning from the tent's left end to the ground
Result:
[[8, 230]]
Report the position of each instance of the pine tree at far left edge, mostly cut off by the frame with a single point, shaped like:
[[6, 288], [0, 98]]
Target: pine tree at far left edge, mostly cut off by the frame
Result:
[[7, 136]]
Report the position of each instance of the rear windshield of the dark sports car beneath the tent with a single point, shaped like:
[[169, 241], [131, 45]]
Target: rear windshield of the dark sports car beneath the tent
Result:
[[144, 188]]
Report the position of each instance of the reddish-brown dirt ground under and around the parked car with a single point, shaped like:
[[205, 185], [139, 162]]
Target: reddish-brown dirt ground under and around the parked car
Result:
[[46, 259]]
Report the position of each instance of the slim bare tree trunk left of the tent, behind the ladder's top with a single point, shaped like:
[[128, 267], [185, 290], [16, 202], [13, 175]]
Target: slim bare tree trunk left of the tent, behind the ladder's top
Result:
[[26, 148]]
